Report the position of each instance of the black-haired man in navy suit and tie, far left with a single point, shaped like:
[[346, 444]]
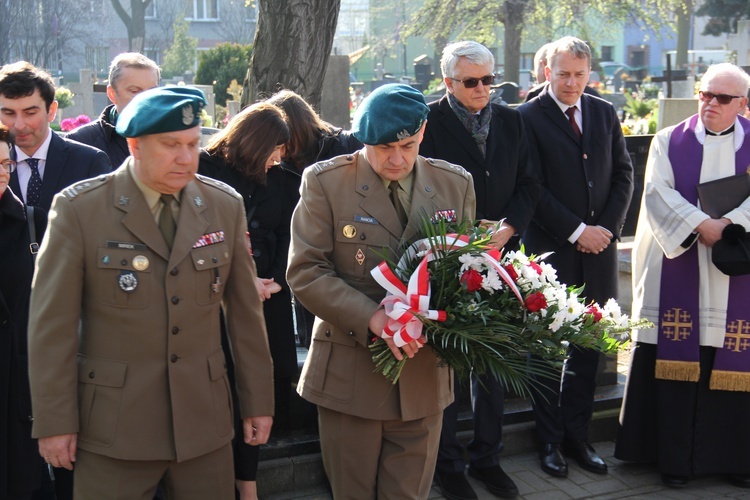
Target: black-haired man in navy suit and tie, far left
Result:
[[47, 163]]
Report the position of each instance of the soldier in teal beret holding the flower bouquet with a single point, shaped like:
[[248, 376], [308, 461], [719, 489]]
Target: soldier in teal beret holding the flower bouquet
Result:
[[378, 440]]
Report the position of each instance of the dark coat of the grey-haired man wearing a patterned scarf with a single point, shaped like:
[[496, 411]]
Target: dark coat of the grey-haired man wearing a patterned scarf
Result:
[[504, 179]]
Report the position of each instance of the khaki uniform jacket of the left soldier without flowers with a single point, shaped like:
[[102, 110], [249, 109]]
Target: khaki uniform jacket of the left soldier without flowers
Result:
[[145, 376]]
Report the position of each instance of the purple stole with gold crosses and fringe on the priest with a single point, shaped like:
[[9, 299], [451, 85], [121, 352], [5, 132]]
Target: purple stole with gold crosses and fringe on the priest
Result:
[[678, 344]]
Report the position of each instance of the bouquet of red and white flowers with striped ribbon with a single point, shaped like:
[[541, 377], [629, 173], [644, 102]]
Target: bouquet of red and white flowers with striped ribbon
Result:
[[485, 312]]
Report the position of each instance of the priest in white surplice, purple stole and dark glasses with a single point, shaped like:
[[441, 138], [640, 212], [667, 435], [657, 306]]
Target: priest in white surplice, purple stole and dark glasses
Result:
[[687, 402]]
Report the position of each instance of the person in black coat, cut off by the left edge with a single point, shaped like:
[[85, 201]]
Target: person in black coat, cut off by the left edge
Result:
[[20, 463]]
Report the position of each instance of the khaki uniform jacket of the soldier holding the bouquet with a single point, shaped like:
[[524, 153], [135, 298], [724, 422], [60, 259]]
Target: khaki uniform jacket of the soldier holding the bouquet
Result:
[[330, 274]]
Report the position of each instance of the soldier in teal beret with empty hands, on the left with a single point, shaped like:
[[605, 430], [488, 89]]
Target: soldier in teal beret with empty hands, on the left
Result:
[[128, 376]]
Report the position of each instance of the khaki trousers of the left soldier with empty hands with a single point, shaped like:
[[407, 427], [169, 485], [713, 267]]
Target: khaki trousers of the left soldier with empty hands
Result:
[[210, 476]]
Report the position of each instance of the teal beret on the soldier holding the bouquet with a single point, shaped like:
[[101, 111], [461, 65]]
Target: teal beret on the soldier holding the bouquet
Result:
[[390, 113]]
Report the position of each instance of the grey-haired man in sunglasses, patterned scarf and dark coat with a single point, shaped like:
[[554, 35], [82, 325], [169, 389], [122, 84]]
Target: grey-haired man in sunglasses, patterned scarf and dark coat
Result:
[[488, 140]]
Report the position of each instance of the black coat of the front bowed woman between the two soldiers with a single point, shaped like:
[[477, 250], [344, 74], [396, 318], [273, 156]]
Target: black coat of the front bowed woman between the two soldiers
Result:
[[269, 209]]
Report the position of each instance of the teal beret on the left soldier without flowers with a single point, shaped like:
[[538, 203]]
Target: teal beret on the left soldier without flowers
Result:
[[162, 109]]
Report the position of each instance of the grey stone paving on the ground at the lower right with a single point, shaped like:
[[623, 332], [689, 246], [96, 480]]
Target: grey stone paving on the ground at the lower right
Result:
[[624, 481]]
